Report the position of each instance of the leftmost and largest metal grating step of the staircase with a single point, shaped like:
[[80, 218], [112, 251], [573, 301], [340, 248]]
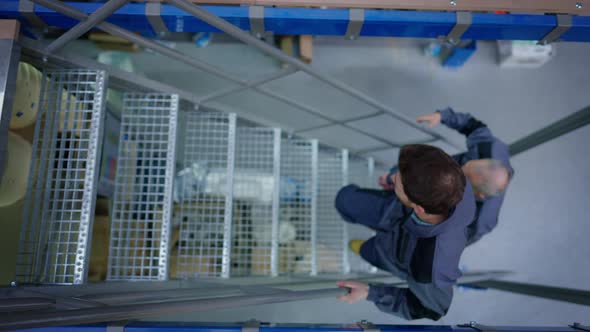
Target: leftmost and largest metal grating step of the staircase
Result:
[[59, 205]]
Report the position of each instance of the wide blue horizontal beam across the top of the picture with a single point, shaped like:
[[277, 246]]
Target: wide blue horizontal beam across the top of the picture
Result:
[[333, 22]]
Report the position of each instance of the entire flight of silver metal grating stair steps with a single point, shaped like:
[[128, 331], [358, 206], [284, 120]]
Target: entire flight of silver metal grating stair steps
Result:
[[245, 201]]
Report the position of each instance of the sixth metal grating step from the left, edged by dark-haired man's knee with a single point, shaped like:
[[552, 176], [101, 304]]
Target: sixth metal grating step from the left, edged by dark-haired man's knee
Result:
[[331, 237]]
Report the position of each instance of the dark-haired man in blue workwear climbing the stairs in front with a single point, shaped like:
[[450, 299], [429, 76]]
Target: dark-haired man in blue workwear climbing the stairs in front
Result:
[[420, 232]]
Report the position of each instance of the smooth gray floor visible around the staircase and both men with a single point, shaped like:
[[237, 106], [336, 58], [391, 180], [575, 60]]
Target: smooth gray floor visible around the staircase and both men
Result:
[[543, 229]]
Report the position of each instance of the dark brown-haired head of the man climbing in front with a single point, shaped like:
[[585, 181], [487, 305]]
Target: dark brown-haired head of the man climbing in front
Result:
[[428, 180]]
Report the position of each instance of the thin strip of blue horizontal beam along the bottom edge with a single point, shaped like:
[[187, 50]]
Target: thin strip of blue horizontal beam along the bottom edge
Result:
[[216, 327]]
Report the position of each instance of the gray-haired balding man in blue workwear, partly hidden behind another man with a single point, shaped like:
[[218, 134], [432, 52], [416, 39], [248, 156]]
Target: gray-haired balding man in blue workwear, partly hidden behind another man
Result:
[[486, 164]]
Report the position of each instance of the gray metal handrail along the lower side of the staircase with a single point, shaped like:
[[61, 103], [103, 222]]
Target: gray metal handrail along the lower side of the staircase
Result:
[[85, 304]]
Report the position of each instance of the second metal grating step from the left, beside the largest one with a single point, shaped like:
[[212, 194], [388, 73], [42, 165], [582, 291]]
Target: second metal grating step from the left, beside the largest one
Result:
[[143, 190]]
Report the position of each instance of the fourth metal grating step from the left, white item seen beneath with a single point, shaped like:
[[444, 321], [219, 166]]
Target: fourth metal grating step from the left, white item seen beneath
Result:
[[255, 228]]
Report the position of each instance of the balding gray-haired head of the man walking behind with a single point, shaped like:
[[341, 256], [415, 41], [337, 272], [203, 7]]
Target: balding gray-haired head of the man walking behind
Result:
[[488, 177]]
